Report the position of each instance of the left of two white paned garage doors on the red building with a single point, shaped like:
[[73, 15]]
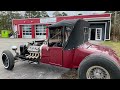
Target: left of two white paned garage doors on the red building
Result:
[[27, 31]]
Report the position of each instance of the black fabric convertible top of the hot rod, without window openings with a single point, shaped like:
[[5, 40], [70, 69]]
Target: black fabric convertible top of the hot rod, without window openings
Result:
[[78, 34]]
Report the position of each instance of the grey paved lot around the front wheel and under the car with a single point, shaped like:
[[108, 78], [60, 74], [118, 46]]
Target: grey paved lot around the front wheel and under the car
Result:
[[24, 70]]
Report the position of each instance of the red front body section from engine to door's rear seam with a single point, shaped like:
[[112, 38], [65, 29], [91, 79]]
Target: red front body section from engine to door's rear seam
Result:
[[52, 55]]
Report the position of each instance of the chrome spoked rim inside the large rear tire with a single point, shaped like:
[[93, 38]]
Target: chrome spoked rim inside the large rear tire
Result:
[[97, 72]]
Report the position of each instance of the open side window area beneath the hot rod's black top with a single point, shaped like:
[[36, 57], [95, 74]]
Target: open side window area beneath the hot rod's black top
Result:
[[59, 35]]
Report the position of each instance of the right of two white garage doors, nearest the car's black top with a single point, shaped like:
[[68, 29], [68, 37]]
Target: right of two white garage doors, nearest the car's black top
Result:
[[40, 31]]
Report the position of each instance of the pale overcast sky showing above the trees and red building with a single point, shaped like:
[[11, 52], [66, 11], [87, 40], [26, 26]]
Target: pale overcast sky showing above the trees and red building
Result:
[[70, 13]]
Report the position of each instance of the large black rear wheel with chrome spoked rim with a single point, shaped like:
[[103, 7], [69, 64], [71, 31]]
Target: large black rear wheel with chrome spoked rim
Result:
[[98, 67]]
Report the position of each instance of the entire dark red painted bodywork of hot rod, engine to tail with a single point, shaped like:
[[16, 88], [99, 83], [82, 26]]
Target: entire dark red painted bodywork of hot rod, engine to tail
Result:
[[72, 58]]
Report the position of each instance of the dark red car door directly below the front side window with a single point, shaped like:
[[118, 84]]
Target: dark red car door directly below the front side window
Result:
[[55, 55]]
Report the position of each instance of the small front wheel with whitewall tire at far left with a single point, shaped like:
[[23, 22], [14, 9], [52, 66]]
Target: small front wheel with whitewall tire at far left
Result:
[[8, 59]]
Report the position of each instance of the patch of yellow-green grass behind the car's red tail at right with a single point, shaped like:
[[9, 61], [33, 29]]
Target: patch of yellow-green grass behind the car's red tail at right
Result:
[[114, 45]]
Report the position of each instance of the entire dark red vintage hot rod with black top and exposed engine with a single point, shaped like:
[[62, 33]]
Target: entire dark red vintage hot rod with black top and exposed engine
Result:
[[68, 46]]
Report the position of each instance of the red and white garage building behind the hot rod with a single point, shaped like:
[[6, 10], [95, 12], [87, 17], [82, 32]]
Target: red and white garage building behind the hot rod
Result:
[[100, 26]]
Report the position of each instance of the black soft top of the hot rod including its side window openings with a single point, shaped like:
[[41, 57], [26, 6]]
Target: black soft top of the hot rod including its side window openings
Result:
[[71, 37]]
